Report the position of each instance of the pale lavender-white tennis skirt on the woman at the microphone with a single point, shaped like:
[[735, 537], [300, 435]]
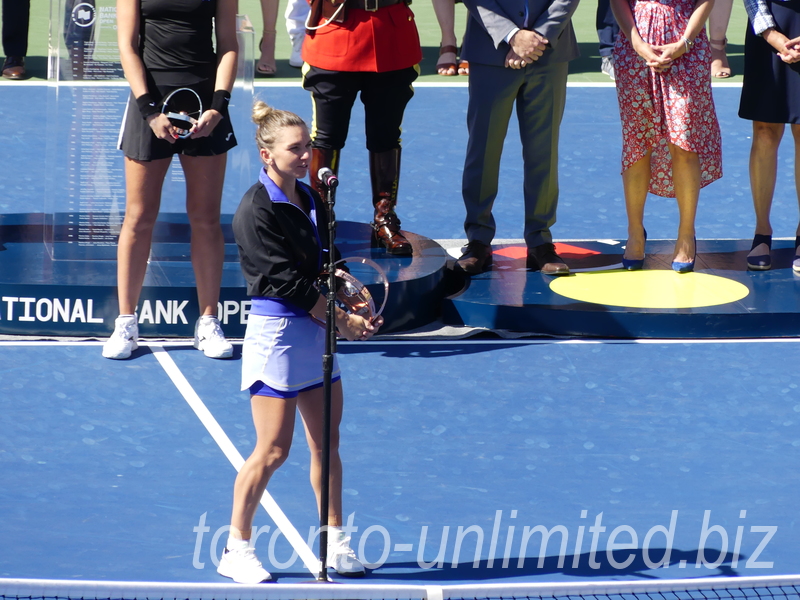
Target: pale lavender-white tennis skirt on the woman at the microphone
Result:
[[283, 352]]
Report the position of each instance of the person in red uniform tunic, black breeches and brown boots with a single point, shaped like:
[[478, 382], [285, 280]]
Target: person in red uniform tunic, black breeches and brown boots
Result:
[[371, 47]]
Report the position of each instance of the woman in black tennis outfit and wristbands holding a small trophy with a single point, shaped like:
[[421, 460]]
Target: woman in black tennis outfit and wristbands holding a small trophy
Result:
[[167, 50]]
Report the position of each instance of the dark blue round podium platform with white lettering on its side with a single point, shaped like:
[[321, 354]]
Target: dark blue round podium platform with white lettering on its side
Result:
[[75, 293]]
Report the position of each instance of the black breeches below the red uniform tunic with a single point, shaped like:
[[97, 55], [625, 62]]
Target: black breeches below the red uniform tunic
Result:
[[384, 96]]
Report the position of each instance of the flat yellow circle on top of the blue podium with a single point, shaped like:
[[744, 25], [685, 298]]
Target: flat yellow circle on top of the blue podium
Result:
[[650, 289]]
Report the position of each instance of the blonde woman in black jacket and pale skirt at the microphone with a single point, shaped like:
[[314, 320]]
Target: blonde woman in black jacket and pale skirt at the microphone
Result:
[[281, 229]]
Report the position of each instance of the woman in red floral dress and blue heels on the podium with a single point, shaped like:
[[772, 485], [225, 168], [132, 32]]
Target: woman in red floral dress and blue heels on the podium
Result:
[[670, 134]]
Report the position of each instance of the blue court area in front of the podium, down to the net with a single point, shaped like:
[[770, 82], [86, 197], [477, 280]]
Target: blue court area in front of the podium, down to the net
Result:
[[631, 460]]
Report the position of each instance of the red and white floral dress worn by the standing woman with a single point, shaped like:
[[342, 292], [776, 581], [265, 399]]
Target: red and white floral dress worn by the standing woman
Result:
[[672, 106]]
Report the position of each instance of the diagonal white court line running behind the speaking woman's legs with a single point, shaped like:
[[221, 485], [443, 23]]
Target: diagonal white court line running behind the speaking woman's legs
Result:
[[229, 450]]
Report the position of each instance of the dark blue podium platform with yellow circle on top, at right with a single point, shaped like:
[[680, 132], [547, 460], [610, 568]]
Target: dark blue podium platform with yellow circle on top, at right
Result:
[[511, 297]]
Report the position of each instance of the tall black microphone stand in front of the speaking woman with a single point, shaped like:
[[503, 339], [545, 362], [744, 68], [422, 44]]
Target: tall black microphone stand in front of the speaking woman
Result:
[[327, 374]]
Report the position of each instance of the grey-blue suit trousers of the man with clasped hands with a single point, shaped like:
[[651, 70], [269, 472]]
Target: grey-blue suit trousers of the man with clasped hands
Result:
[[539, 94]]
